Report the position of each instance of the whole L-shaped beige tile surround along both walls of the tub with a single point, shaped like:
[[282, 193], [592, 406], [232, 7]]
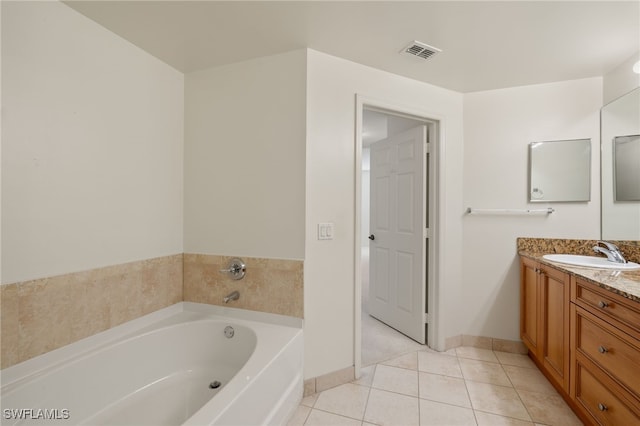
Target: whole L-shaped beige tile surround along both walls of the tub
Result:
[[41, 315]]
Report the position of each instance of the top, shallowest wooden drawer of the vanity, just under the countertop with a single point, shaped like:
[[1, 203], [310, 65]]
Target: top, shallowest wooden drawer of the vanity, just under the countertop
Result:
[[608, 305]]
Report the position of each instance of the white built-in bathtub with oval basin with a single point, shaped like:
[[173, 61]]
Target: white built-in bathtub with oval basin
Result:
[[157, 370]]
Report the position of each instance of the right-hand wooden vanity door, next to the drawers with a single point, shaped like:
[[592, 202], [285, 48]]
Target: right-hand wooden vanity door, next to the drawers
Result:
[[555, 286]]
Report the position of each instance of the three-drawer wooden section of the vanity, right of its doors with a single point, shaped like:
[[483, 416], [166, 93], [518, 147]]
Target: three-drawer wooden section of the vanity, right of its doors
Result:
[[605, 354]]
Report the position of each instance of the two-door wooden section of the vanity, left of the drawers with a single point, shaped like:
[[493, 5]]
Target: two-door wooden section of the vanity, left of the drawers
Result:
[[544, 320]]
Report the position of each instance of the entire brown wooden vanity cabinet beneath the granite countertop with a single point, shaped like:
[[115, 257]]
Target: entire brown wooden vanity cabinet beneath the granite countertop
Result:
[[585, 339]]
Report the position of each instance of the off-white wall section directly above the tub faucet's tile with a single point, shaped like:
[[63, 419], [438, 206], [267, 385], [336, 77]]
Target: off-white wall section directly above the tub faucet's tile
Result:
[[245, 158]]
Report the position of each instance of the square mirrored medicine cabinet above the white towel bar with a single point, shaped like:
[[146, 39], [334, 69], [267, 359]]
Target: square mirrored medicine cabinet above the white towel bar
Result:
[[560, 171]]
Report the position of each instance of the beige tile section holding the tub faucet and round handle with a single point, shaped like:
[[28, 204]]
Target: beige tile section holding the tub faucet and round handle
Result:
[[270, 285]]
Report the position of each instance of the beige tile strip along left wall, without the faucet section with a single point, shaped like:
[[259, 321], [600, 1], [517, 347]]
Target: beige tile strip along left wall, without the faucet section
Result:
[[44, 314]]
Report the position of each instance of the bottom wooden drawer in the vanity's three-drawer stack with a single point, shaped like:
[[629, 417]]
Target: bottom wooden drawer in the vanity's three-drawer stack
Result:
[[599, 399]]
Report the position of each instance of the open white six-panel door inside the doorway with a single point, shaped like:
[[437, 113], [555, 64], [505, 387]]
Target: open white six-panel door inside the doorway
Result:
[[397, 269]]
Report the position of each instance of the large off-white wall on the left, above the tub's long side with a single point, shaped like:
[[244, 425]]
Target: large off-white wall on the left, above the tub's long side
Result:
[[92, 142]]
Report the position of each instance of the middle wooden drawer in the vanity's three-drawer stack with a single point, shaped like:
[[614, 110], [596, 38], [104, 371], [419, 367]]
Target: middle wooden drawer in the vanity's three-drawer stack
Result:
[[615, 352]]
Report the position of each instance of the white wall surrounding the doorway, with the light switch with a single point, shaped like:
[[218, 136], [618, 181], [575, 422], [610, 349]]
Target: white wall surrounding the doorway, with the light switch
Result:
[[332, 85]]
